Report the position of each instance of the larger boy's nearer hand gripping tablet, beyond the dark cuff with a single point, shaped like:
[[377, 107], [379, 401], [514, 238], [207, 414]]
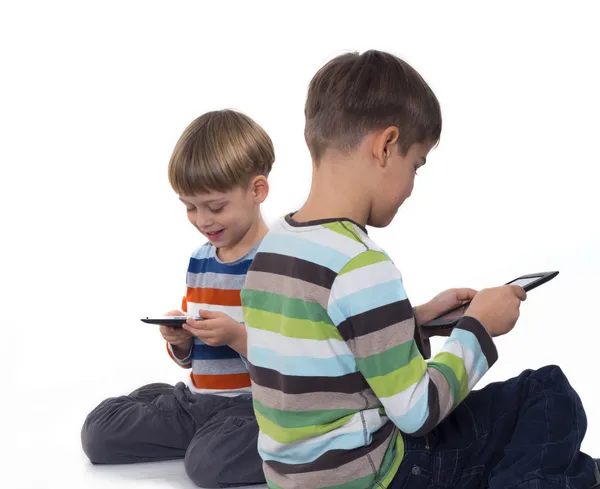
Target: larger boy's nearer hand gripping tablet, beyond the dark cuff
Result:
[[497, 309]]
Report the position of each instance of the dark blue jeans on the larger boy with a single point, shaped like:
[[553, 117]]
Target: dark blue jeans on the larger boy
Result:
[[523, 433]]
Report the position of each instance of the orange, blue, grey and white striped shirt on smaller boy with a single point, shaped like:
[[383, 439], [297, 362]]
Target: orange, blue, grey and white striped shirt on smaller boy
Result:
[[215, 285]]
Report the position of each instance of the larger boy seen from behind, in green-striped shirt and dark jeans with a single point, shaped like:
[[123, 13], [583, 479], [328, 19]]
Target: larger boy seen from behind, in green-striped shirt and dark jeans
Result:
[[342, 393]]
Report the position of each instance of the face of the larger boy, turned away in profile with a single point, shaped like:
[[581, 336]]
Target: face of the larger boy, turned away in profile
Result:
[[394, 181]]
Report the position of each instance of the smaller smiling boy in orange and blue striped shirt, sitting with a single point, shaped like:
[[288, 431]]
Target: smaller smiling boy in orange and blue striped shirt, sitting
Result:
[[219, 169]]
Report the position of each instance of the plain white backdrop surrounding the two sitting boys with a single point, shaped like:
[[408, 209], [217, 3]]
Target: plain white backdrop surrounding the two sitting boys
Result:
[[94, 96]]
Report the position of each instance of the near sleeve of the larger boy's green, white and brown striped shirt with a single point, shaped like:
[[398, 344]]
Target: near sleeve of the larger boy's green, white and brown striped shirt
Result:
[[369, 306]]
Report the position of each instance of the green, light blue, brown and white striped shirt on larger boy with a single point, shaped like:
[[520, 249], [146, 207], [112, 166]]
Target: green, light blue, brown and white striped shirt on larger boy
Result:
[[337, 374]]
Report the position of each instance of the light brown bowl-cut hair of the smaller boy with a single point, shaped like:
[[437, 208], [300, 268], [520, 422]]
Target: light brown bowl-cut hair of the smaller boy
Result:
[[219, 151]]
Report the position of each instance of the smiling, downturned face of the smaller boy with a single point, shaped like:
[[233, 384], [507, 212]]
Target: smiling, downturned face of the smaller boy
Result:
[[225, 218]]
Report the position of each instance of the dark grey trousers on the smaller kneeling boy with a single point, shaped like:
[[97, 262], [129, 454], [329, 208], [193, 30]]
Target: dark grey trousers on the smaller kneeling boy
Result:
[[215, 435]]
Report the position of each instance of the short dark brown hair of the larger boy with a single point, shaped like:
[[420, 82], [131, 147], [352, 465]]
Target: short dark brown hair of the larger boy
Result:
[[354, 94]]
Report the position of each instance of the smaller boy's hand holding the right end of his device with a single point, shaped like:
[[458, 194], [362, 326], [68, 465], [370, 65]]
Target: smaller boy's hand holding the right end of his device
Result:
[[217, 329]]
